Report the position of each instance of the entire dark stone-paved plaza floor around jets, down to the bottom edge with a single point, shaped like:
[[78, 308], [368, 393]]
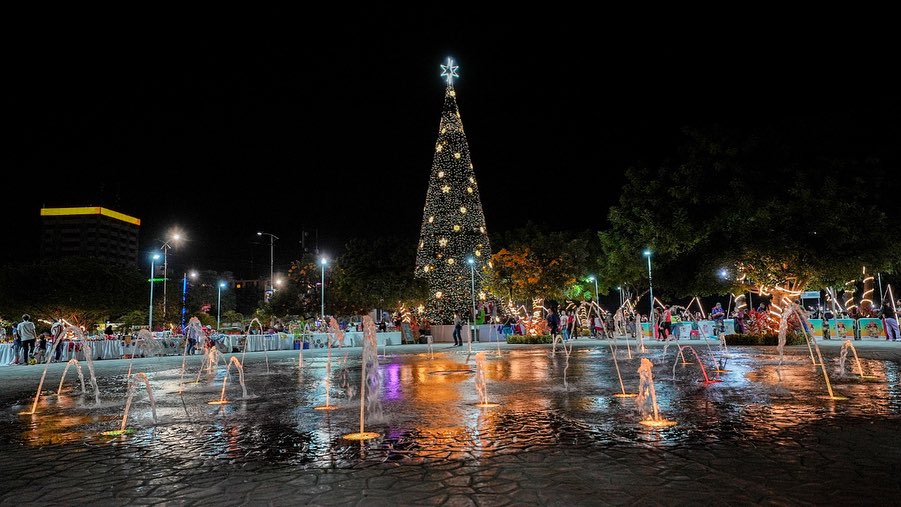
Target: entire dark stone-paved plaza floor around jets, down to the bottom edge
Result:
[[558, 436]]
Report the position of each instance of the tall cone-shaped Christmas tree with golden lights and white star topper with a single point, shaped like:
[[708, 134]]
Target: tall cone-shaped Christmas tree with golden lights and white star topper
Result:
[[453, 242]]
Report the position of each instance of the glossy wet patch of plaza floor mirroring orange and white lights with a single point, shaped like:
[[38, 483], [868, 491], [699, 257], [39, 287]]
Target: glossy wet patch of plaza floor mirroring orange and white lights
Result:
[[429, 415]]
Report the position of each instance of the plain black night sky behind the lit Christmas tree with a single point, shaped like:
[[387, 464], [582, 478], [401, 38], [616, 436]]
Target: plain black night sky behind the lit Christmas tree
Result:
[[330, 124]]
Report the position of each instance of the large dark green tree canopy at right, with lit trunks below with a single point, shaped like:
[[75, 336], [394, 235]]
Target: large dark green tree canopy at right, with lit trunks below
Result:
[[778, 204]]
